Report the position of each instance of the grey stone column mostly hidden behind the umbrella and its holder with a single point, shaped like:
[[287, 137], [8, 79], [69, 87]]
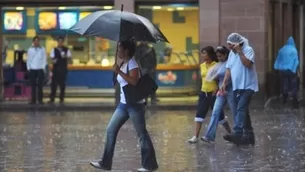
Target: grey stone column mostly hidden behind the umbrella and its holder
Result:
[[128, 6]]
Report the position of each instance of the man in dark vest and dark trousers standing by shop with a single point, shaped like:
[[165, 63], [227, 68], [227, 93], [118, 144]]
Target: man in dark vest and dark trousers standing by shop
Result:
[[59, 56]]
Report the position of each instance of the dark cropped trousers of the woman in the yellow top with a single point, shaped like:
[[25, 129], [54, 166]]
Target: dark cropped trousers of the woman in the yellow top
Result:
[[206, 101]]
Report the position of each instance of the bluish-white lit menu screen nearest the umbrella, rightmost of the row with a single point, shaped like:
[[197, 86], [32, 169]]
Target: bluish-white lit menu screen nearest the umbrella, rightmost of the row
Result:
[[67, 20]]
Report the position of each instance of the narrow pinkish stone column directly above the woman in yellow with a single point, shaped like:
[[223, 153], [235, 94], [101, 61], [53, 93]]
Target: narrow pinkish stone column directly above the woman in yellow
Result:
[[208, 23]]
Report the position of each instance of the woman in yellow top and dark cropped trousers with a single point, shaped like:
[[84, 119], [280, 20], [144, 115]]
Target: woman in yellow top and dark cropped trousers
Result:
[[207, 95]]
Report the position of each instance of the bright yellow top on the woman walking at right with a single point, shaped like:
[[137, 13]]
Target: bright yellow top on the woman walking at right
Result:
[[206, 85]]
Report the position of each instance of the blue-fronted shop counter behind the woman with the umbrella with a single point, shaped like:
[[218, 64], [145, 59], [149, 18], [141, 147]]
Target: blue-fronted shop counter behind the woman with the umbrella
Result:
[[170, 78]]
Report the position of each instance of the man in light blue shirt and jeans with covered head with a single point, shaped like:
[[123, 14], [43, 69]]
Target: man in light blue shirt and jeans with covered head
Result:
[[241, 71]]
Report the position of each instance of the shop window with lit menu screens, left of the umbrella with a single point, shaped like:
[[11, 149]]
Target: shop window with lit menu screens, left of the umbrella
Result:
[[22, 24]]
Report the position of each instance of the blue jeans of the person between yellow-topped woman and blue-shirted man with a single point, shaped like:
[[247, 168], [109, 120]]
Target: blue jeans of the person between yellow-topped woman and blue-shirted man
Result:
[[217, 113]]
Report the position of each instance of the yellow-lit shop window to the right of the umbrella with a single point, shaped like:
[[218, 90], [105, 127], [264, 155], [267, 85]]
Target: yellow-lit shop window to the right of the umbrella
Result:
[[179, 23]]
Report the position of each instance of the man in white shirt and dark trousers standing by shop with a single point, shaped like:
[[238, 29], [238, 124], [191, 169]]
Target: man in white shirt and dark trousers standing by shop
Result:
[[36, 63]]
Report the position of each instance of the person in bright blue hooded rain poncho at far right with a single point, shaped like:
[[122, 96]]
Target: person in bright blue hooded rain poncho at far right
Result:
[[286, 63]]
